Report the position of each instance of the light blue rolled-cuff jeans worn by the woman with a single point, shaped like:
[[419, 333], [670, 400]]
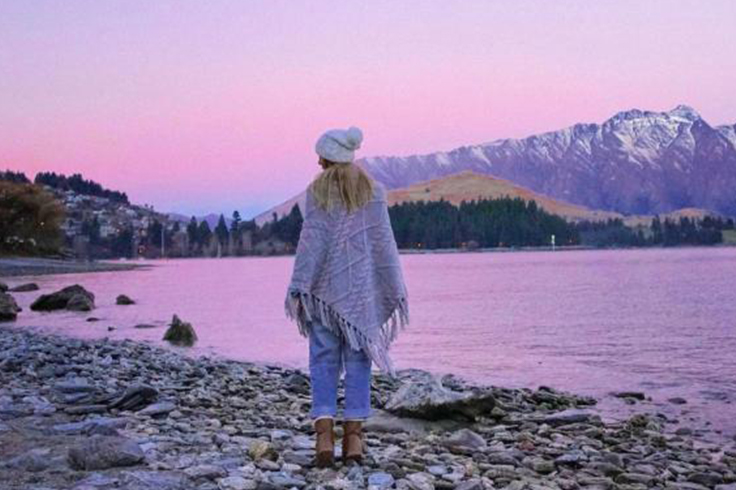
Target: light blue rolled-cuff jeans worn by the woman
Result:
[[328, 354]]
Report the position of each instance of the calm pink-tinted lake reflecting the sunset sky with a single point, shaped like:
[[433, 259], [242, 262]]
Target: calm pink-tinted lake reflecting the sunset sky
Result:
[[658, 321]]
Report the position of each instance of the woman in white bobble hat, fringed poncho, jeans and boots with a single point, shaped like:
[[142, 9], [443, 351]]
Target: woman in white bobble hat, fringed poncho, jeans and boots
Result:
[[347, 292]]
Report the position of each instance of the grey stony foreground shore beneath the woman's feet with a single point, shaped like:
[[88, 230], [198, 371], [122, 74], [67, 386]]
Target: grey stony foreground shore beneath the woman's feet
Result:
[[101, 415]]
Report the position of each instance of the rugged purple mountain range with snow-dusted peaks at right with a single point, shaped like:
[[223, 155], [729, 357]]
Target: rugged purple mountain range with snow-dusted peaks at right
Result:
[[637, 162]]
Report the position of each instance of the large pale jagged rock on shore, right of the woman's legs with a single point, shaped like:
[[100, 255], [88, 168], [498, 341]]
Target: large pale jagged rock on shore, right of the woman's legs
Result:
[[430, 400]]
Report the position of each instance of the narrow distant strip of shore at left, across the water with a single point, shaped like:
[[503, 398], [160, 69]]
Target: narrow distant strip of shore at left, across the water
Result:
[[23, 266]]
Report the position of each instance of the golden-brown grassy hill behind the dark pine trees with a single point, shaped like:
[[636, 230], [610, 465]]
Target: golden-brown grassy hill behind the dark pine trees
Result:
[[468, 185]]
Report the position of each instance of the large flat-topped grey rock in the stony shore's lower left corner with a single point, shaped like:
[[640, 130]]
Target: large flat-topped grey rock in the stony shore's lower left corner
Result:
[[103, 452]]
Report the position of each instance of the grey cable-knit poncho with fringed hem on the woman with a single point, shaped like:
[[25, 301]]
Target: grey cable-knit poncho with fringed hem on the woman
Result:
[[347, 276]]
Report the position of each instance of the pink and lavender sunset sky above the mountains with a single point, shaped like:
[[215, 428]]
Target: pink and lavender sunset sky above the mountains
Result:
[[212, 106]]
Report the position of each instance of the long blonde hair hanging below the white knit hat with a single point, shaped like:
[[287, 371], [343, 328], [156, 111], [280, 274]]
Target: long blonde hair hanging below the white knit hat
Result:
[[342, 182]]
